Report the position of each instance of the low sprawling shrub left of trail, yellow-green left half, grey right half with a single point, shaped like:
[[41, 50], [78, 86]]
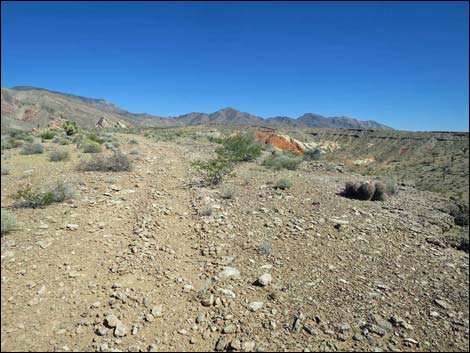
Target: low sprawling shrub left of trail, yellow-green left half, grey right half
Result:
[[28, 198]]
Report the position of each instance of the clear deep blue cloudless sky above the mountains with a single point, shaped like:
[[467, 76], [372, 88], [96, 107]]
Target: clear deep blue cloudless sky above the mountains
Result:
[[403, 64]]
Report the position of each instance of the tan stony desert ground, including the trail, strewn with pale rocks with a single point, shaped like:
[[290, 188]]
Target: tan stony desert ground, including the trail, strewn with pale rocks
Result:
[[149, 260]]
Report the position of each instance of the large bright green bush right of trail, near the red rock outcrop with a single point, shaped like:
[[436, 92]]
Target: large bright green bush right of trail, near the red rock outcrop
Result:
[[239, 148]]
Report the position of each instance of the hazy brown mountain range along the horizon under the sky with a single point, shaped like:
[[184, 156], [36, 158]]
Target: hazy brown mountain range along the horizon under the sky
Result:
[[27, 107]]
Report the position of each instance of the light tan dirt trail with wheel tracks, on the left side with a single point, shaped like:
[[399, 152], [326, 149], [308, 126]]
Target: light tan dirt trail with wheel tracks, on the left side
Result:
[[130, 253]]
